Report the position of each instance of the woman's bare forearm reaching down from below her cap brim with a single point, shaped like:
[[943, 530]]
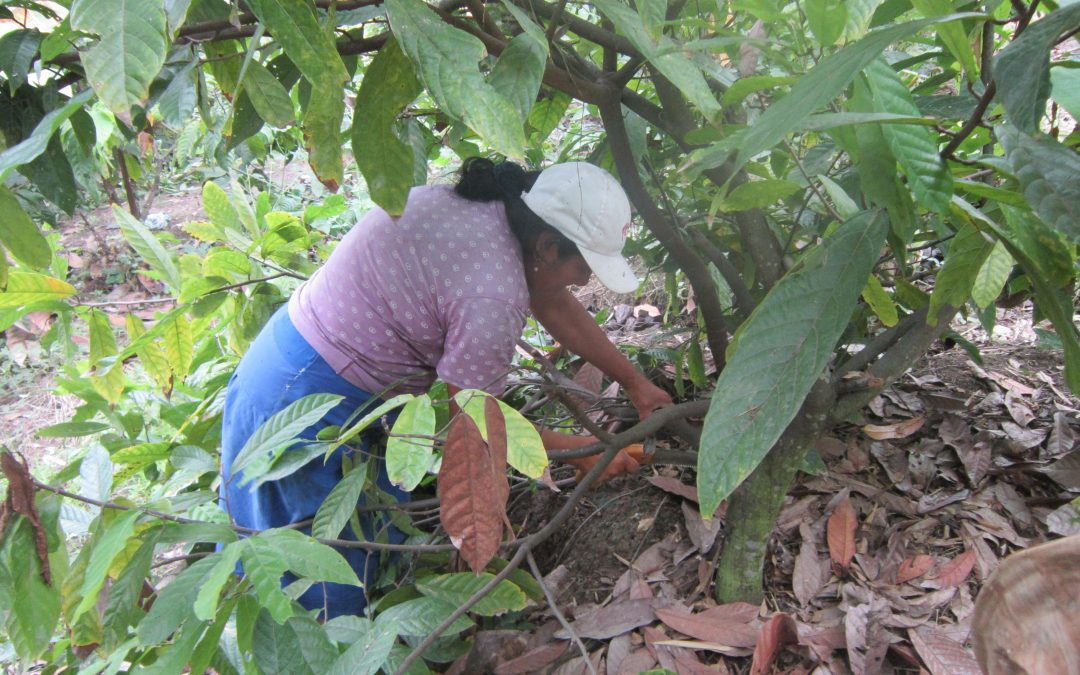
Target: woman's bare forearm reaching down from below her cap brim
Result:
[[569, 322]]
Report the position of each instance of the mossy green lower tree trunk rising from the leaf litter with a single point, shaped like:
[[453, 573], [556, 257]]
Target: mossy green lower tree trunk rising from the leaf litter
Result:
[[753, 509]]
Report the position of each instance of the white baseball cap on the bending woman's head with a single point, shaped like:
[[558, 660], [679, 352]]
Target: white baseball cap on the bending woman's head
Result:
[[588, 206]]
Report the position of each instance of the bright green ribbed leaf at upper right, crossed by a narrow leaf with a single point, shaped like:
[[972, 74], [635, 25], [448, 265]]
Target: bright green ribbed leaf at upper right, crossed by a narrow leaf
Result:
[[914, 147]]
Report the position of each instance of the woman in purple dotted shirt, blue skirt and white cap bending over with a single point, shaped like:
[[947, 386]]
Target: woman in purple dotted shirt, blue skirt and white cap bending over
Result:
[[441, 291]]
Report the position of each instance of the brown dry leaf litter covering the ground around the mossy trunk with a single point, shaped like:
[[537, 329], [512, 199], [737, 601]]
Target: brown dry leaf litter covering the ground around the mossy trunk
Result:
[[874, 566]]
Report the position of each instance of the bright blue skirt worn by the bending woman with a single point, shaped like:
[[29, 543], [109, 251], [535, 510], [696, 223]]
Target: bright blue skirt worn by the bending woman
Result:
[[281, 368]]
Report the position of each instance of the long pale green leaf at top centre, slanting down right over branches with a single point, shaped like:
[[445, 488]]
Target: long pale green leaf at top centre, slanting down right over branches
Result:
[[665, 55]]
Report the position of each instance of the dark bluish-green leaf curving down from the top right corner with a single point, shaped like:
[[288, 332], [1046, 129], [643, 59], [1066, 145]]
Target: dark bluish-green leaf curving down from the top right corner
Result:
[[1022, 70]]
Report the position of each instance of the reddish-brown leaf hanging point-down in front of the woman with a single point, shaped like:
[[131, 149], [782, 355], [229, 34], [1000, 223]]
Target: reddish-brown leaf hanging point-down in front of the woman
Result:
[[470, 497]]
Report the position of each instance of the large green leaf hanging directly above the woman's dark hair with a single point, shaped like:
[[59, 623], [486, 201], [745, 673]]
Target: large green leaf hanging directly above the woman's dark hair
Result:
[[448, 62]]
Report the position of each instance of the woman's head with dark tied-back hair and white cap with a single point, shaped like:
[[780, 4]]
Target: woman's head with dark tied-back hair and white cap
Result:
[[568, 211]]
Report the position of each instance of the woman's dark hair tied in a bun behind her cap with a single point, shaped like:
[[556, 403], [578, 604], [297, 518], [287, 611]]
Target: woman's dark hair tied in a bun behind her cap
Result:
[[483, 181]]
